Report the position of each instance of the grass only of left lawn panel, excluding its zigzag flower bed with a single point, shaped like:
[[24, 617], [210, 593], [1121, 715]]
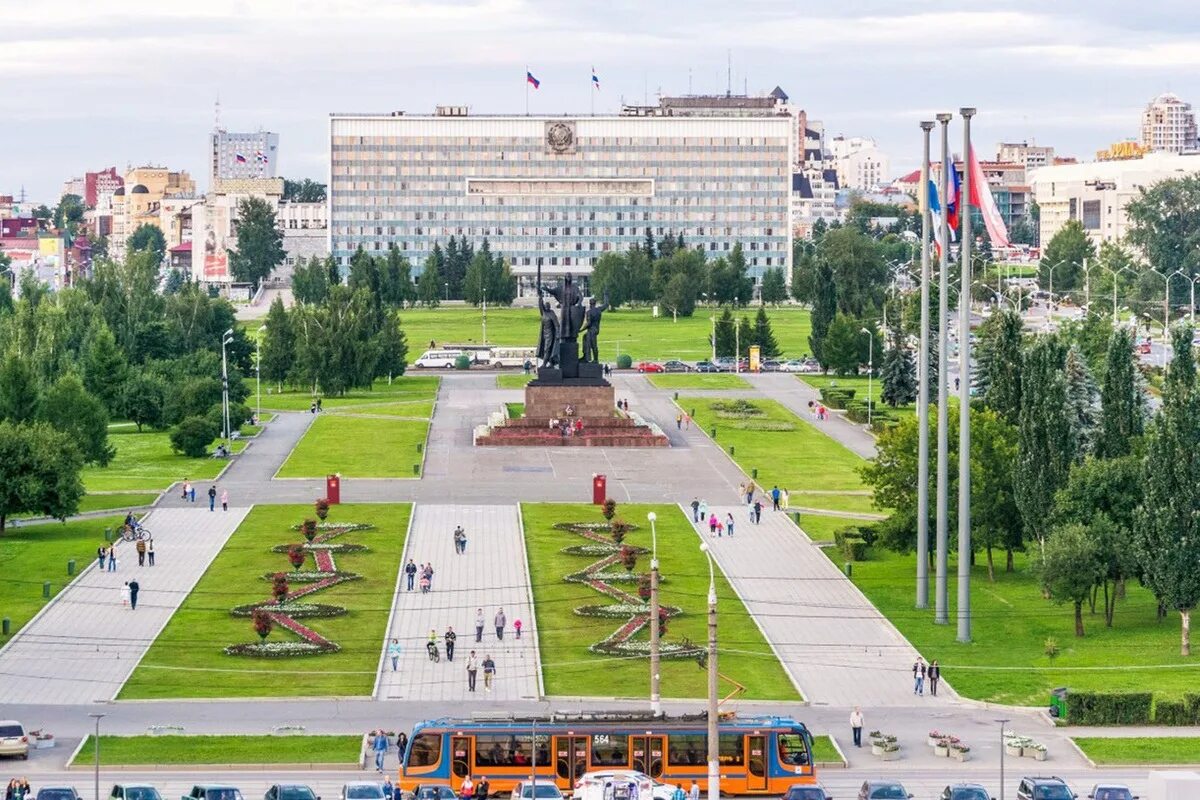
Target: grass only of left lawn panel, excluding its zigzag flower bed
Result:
[[188, 659]]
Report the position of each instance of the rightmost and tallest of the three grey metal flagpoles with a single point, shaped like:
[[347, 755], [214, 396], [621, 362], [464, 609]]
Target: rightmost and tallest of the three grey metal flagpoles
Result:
[[965, 392]]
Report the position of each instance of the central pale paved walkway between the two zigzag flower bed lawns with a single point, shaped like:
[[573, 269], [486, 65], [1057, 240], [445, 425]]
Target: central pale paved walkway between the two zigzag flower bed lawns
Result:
[[493, 574]]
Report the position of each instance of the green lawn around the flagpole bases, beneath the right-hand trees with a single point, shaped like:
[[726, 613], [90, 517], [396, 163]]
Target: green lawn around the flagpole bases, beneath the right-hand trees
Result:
[[1006, 663]]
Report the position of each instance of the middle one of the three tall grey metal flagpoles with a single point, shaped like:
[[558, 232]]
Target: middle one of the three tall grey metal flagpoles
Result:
[[941, 599]]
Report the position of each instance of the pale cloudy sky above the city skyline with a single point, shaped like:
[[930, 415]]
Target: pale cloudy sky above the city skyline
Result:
[[87, 85]]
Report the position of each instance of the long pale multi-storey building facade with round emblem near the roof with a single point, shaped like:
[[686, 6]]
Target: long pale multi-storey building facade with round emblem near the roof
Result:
[[560, 191]]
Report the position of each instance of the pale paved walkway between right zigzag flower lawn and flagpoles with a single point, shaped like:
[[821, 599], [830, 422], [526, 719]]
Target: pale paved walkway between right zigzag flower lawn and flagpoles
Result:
[[837, 647]]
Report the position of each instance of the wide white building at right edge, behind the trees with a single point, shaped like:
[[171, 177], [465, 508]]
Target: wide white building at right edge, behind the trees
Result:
[[1097, 194]]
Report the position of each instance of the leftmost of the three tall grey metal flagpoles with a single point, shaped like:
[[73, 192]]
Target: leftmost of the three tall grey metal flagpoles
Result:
[[923, 386]]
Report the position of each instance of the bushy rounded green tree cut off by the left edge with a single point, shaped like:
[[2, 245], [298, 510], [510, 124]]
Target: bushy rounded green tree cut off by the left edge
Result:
[[39, 472]]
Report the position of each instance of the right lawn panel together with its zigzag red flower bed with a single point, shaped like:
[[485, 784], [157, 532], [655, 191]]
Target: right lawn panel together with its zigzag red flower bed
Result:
[[581, 652]]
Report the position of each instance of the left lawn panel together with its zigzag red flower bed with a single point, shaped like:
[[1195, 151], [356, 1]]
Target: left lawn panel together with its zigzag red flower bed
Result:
[[356, 569]]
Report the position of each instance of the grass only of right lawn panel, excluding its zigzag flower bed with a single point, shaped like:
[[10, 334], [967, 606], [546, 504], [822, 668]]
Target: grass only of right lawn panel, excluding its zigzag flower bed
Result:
[[565, 639]]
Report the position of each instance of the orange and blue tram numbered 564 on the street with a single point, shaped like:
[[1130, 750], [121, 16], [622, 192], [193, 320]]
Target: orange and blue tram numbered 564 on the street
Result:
[[758, 755]]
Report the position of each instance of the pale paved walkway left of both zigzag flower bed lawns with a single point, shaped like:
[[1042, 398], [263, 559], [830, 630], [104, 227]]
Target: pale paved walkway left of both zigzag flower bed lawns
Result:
[[85, 645]]
